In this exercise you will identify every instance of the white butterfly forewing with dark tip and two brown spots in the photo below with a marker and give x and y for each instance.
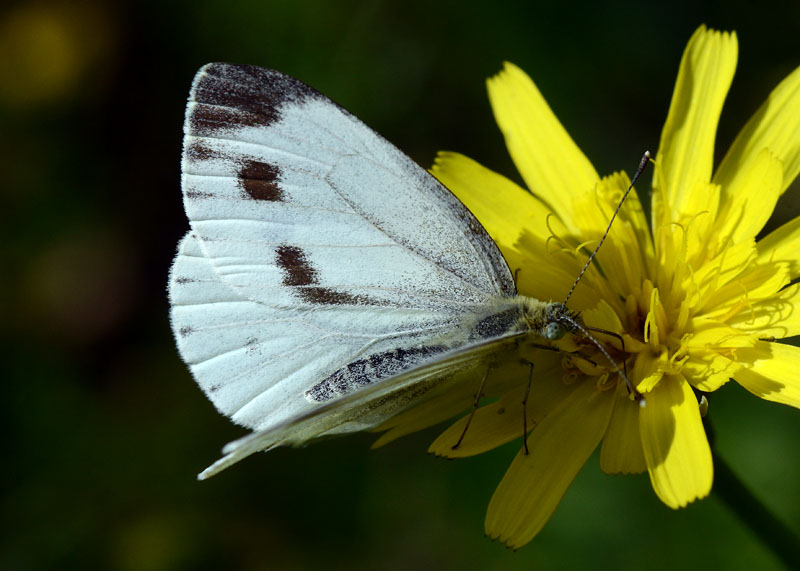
(297, 201)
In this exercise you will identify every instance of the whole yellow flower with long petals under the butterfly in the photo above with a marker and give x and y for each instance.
(697, 300)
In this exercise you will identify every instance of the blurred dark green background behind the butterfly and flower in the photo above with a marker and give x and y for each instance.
(102, 425)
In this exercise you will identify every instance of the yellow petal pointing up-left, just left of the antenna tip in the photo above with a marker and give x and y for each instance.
(550, 162)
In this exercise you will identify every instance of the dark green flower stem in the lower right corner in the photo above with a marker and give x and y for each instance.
(774, 533)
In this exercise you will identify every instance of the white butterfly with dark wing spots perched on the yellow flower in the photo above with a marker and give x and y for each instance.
(327, 282)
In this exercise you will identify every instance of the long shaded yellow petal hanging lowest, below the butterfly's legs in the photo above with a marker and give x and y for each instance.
(535, 483)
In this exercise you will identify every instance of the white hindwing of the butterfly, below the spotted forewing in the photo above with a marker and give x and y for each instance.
(261, 365)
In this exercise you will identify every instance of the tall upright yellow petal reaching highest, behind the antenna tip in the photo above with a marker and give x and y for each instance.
(686, 152)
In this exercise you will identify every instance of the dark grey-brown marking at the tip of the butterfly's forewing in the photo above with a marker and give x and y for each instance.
(230, 96)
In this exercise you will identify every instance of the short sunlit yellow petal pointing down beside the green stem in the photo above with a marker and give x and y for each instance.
(675, 445)
